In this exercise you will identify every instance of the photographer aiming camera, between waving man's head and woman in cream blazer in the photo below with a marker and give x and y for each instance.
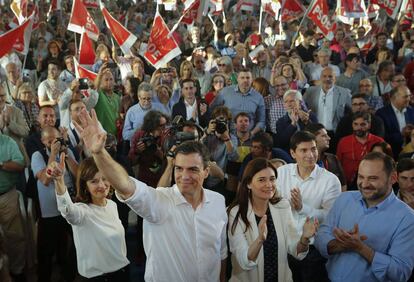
(221, 145)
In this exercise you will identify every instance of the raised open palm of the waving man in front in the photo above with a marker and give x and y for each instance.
(91, 132)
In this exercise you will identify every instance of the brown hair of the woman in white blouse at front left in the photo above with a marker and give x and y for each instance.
(86, 171)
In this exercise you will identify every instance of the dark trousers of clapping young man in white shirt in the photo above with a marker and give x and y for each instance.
(310, 269)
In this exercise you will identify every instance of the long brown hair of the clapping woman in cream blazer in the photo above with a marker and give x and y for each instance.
(244, 196)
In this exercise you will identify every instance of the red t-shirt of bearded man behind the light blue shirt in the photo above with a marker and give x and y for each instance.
(350, 153)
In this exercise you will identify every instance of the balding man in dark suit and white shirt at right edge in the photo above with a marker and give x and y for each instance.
(396, 116)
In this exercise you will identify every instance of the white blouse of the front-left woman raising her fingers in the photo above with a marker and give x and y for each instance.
(98, 235)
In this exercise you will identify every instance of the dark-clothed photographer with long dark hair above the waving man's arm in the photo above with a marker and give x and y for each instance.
(146, 147)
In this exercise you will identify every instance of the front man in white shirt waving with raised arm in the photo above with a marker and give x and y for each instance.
(184, 225)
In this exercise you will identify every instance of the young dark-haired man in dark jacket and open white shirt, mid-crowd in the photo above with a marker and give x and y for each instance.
(188, 106)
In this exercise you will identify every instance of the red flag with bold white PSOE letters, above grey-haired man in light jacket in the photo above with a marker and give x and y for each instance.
(318, 12)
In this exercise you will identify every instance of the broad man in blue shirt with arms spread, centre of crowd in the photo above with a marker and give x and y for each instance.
(243, 98)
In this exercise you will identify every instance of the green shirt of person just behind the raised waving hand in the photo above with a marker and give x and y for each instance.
(107, 111)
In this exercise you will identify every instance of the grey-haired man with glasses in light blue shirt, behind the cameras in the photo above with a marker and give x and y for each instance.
(135, 115)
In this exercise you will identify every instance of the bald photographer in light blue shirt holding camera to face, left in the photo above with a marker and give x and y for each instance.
(53, 231)
